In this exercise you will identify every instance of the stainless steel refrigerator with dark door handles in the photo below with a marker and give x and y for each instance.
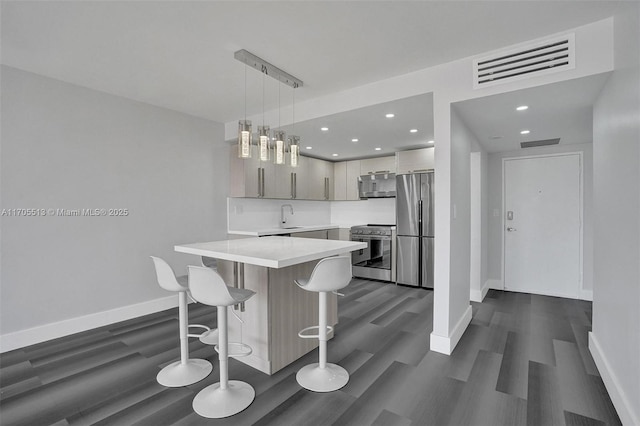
(415, 229)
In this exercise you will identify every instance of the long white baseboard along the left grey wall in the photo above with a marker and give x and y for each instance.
(31, 336)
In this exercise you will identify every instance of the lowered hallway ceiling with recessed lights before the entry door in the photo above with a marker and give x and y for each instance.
(560, 110)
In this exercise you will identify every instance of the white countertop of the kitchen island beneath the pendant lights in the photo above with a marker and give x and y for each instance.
(272, 252)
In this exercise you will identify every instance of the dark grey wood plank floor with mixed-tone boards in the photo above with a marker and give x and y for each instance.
(522, 361)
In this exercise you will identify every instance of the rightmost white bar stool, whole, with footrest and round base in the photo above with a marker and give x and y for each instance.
(329, 275)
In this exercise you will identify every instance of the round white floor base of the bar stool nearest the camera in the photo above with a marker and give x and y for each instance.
(215, 403)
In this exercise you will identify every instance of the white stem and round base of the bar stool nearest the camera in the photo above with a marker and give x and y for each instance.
(227, 397)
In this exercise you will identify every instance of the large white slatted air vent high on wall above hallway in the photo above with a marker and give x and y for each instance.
(532, 59)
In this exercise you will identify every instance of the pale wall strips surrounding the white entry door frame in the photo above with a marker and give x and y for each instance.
(495, 213)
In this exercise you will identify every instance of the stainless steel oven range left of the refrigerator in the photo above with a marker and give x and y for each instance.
(376, 261)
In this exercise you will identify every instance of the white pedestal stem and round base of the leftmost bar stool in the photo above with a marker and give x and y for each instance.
(186, 371)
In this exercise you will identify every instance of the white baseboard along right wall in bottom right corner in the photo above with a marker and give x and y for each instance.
(620, 401)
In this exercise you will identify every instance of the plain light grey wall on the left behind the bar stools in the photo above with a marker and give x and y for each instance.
(67, 147)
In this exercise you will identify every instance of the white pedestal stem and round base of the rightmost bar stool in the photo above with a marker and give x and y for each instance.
(322, 376)
